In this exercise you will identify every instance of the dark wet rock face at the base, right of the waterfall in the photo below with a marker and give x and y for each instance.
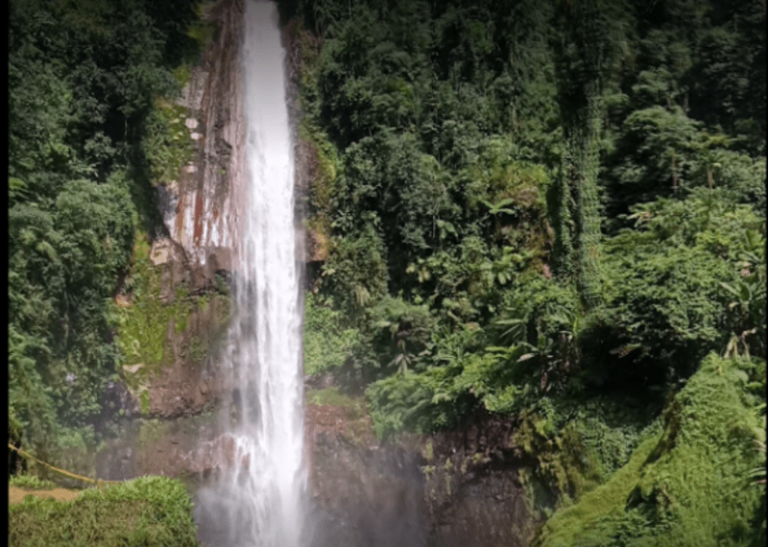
(451, 489)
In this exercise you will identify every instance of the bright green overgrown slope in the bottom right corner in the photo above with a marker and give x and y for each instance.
(685, 486)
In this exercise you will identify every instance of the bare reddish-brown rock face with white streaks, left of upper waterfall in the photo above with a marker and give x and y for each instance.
(200, 209)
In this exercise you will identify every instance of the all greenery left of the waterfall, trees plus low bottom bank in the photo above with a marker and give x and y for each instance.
(90, 83)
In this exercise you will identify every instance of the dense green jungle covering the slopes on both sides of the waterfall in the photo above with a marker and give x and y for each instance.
(548, 210)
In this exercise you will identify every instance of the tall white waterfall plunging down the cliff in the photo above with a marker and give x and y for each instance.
(258, 501)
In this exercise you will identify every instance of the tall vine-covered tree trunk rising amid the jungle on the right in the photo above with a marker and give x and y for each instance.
(591, 35)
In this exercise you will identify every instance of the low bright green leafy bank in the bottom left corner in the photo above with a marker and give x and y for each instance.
(144, 511)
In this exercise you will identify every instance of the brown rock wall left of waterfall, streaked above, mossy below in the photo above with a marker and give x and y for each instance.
(162, 410)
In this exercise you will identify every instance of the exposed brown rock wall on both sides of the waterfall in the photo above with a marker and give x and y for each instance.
(452, 489)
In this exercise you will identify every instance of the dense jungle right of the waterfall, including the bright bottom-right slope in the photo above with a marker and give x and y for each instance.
(553, 211)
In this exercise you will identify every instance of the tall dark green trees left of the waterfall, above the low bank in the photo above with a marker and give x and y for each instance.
(83, 79)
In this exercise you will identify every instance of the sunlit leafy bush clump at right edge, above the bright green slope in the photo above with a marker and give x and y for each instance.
(666, 293)
